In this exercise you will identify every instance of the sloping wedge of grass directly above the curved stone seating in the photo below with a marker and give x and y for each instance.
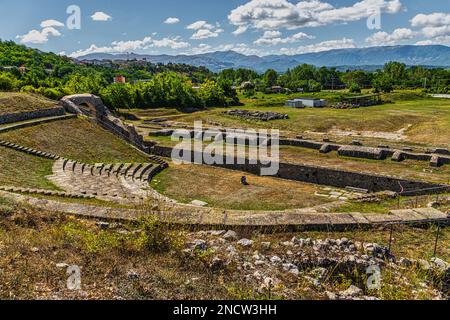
(77, 139)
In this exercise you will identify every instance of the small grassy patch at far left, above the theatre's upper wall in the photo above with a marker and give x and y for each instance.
(14, 102)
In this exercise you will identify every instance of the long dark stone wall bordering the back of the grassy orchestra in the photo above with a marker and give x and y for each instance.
(325, 176)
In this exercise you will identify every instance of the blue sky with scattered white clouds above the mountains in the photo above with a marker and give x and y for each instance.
(259, 27)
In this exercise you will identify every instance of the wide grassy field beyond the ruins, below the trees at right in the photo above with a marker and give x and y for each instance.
(425, 121)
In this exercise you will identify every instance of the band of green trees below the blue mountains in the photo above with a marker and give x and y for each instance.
(183, 86)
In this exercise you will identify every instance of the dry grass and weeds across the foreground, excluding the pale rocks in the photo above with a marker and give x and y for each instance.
(146, 261)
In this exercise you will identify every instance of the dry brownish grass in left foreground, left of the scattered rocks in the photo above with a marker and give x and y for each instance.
(33, 243)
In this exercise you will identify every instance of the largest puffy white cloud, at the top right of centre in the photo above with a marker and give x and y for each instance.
(277, 14)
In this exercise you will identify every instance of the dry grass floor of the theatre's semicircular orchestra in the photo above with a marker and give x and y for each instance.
(221, 188)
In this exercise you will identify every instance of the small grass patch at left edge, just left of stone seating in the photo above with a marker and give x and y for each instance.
(21, 170)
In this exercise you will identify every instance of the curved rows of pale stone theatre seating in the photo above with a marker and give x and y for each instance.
(123, 183)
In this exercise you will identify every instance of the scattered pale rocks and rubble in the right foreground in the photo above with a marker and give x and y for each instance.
(335, 269)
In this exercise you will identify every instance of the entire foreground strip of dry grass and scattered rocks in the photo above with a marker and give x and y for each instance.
(151, 260)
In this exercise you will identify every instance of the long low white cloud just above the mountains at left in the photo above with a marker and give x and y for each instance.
(134, 45)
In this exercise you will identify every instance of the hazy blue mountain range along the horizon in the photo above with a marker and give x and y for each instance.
(367, 58)
